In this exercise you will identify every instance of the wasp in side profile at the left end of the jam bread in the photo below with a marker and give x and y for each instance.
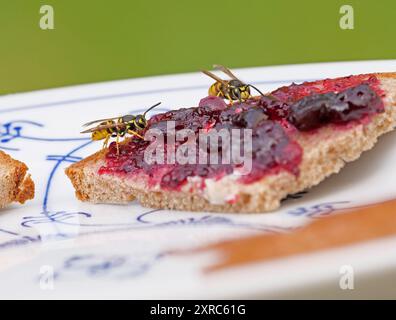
(118, 127)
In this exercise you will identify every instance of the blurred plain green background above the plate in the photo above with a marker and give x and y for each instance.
(105, 40)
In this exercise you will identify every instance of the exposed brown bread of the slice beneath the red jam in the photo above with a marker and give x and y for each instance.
(325, 152)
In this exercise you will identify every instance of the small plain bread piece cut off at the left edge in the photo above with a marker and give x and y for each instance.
(15, 184)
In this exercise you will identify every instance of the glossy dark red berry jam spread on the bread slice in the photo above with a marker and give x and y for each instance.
(271, 120)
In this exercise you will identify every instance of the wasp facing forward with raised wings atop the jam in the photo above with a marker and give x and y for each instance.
(233, 90)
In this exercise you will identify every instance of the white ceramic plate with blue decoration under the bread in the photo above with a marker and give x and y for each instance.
(59, 247)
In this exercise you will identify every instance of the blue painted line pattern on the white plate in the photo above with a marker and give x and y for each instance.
(13, 130)
